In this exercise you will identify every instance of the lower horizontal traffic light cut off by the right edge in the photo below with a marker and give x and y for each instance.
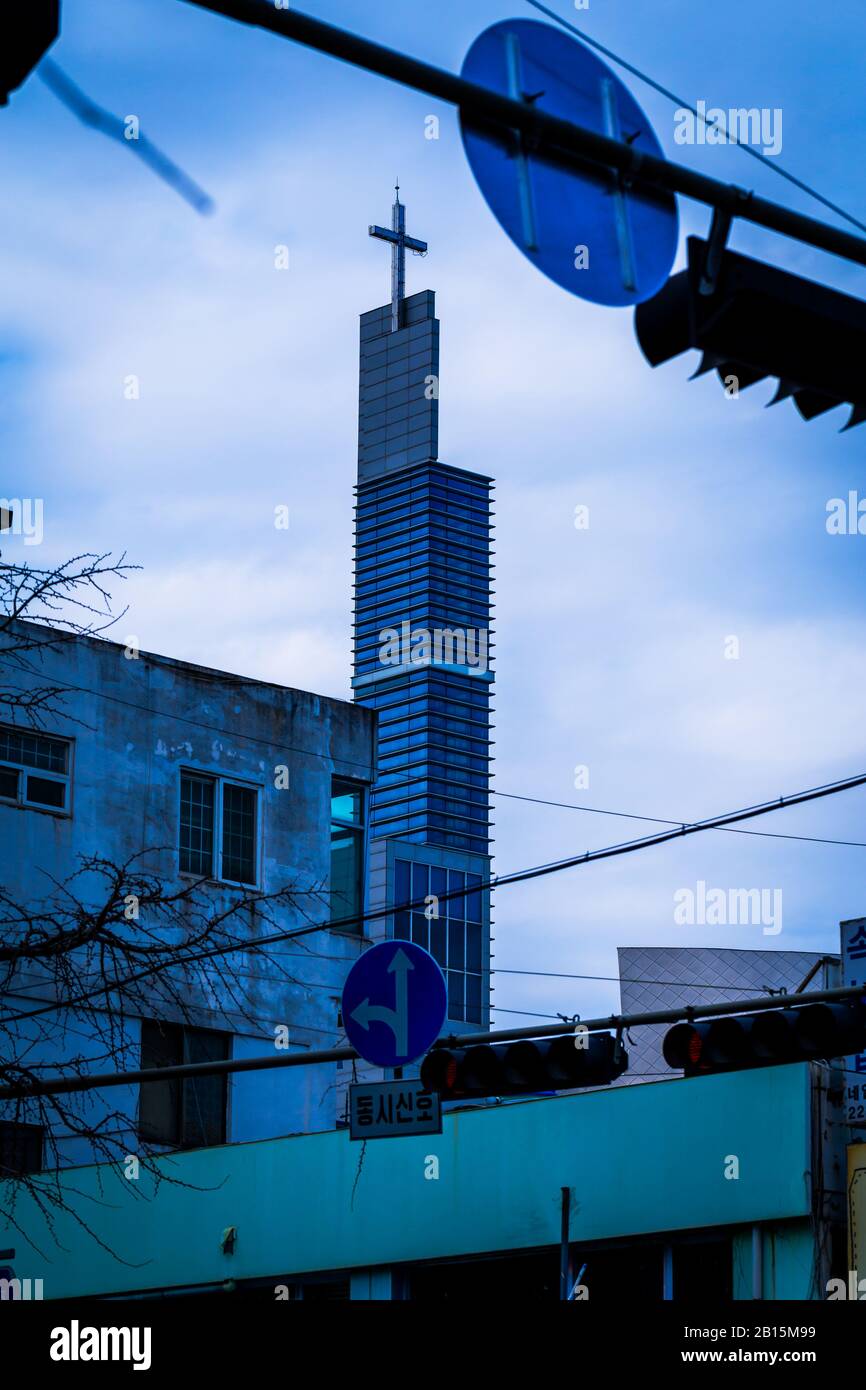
(810, 1032)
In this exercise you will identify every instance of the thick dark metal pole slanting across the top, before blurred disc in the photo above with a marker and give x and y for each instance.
(557, 138)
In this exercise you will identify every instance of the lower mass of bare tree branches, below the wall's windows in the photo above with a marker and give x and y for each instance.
(79, 970)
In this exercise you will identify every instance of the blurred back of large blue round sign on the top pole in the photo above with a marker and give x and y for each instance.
(586, 231)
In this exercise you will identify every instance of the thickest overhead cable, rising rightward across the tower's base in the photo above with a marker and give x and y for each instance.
(497, 882)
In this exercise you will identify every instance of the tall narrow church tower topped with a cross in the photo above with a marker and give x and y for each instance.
(423, 646)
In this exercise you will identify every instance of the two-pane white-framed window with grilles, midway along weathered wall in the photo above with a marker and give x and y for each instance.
(219, 829)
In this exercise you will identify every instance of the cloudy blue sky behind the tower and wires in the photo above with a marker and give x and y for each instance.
(708, 516)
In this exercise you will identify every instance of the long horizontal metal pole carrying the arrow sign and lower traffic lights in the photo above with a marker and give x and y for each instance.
(616, 1022)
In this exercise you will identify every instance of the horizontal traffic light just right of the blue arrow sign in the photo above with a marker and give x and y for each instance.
(559, 1064)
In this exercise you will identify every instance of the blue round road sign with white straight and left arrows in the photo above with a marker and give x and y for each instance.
(394, 1003)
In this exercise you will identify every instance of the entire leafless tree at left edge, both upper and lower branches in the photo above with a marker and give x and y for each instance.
(87, 957)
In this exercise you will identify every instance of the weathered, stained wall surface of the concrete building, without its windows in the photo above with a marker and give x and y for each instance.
(134, 725)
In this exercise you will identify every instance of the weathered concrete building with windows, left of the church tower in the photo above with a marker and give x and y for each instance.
(248, 786)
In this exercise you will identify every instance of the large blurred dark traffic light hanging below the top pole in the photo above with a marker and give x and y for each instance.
(754, 322)
